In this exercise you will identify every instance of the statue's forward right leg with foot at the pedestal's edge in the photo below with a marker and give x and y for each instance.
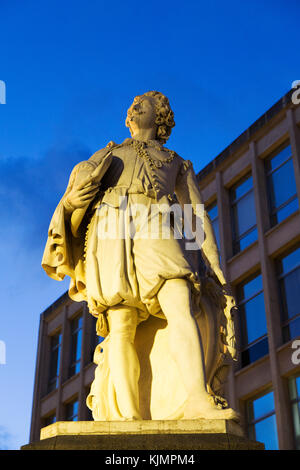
(186, 349)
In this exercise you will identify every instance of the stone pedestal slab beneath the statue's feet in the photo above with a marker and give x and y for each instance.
(144, 435)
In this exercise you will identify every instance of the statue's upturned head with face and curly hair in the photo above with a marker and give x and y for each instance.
(152, 109)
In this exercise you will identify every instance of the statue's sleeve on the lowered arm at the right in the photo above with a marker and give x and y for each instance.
(189, 196)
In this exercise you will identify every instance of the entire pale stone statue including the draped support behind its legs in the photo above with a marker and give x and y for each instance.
(130, 279)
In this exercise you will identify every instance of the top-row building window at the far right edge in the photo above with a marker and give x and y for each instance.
(281, 185)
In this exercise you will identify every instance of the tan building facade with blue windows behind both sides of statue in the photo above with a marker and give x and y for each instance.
(252, 194)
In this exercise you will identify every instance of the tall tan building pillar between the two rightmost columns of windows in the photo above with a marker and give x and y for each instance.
(271, 298)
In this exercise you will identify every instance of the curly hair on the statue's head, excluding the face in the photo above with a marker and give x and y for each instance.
(164, 115)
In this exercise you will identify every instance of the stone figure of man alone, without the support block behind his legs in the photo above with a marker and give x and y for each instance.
(127, 277)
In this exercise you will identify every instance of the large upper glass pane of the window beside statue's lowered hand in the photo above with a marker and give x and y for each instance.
(254, 317)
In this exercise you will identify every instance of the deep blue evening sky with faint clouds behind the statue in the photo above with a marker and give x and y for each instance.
(71, 70)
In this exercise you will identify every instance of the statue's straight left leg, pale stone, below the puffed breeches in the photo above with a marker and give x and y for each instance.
(123, 361)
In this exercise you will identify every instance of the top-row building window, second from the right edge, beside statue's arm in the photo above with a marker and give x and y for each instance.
(243, 215)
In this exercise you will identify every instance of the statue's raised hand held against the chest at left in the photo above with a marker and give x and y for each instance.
(81, 195)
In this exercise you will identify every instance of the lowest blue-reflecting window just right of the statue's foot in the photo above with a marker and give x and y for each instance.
(262, 421)
